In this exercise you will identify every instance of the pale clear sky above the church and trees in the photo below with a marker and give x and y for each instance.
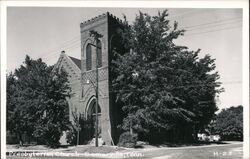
(43, 32)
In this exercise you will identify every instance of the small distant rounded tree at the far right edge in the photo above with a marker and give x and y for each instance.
(229, 123)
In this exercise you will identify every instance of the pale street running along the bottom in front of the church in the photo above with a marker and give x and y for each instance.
(225, 151)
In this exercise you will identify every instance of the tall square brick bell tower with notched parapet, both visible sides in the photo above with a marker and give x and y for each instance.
(97, 52)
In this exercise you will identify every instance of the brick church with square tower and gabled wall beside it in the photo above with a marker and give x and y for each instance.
(82, 75)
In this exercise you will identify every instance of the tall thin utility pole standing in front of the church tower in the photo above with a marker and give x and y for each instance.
(96, 35)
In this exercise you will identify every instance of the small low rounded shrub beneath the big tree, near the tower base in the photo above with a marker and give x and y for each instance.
(127, 140)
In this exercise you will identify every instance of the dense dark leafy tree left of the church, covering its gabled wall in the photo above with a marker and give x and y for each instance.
(36, 101)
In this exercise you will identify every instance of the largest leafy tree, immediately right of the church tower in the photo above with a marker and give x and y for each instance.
(163, 89)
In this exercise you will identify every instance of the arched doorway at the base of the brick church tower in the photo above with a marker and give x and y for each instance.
(91, 117)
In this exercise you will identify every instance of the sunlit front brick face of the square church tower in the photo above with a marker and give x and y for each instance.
(99, 24)
